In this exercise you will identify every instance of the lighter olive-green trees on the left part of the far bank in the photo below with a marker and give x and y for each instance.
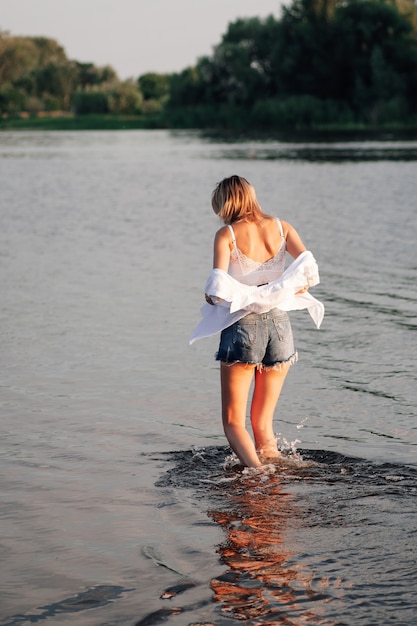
(36, 76)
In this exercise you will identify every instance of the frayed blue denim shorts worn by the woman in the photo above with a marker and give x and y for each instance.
(264, 339)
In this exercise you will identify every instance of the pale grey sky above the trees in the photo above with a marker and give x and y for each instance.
(133, 36)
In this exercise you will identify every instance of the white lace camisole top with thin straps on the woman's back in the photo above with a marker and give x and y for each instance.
(250, 272)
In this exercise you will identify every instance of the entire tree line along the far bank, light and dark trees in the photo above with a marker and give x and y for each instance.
(321, 63)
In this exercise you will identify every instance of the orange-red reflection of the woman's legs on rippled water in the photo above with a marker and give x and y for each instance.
(261, 581)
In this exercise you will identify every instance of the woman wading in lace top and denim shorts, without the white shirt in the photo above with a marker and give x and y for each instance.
(251, 248)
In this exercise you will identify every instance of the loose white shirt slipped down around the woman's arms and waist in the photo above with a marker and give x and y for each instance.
(233, 300)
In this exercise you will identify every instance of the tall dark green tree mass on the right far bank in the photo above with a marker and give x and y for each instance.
(342, 60)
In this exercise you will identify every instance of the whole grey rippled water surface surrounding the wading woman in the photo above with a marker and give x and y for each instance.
(116, 506)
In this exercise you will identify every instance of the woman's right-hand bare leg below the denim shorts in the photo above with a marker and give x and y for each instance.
(268, 385)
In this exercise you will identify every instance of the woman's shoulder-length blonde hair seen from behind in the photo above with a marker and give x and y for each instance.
(234, 198)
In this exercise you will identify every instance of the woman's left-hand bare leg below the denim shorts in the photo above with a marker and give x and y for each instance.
(235, 384)
